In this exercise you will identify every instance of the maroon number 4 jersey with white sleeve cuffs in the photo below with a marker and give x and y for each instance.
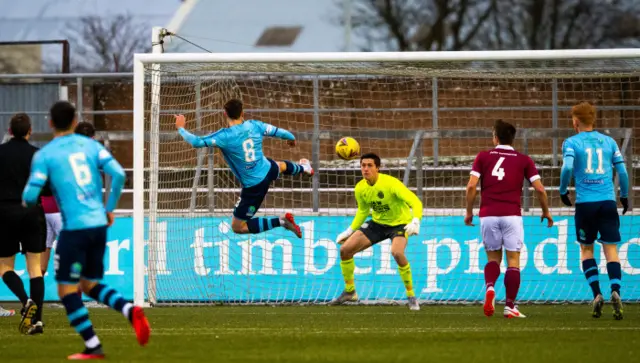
(502, 172)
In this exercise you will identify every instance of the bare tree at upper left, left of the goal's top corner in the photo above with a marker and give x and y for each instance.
(106, 44)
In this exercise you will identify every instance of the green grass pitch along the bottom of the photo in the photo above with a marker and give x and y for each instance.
(564, 333)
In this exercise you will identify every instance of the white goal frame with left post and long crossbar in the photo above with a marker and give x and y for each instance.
(140, 60)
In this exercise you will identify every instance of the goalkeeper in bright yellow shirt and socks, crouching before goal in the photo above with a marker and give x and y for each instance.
(396, 215)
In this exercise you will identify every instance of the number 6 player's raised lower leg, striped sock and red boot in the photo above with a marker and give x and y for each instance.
(109, 296)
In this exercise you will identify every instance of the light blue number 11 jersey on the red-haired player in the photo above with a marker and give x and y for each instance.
(591, 156)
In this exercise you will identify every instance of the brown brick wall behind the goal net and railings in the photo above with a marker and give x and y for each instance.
(498, 98)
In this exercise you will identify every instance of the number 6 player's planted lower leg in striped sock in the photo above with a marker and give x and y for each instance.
(78, 316)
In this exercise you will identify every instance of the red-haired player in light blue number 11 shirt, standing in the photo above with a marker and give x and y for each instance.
(591, 157)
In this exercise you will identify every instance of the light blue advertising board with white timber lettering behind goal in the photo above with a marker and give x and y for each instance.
(447, 261)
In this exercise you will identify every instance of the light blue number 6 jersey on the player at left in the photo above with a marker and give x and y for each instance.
(72, 165)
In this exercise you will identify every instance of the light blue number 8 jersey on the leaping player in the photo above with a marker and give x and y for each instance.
(241, 147)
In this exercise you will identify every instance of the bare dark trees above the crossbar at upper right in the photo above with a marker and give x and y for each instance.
(407, 25)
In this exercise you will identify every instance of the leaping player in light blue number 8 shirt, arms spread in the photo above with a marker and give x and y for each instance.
(241, 147)
